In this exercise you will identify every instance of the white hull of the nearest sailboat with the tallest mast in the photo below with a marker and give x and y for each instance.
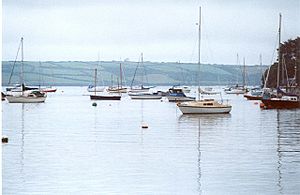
(203, 110)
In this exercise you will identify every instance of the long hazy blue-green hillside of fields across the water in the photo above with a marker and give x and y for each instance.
(81, 73)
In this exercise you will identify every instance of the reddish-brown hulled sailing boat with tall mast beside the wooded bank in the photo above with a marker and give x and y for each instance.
(283, 99)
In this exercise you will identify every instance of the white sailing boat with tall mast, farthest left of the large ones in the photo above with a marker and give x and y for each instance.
(26, 95)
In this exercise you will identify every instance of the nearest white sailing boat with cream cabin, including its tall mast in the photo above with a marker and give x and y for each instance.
(206, 106)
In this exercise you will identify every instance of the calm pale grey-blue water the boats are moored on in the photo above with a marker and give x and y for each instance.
(67, 146)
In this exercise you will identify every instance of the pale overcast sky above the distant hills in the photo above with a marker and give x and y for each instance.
(164, 30)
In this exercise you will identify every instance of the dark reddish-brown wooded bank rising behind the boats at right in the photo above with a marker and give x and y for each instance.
(290, 52)
